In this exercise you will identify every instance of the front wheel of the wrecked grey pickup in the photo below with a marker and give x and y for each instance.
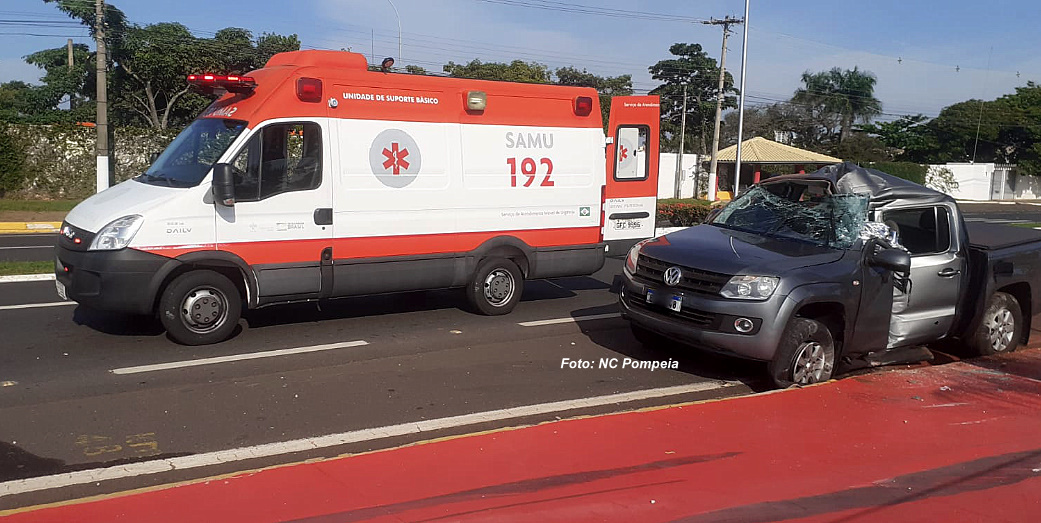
(806, 355)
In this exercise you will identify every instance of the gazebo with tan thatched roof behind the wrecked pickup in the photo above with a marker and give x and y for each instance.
(759, 153)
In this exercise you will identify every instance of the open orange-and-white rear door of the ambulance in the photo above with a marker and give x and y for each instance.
(631, 194)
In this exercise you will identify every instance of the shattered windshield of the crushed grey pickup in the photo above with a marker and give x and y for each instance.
(800, 212)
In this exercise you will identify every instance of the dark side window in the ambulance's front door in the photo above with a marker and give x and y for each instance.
(281, 159)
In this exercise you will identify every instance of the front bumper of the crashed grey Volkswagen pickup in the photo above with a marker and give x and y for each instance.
(706, 322)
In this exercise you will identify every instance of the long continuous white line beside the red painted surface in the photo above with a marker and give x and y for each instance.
(273, 450)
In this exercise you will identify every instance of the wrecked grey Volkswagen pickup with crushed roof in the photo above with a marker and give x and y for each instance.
(835, 270)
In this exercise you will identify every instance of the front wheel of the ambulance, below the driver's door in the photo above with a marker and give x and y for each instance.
(200, 308)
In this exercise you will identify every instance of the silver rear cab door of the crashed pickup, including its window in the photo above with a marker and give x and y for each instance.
(937, 273)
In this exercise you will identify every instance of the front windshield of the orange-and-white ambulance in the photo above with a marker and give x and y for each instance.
(192, 155)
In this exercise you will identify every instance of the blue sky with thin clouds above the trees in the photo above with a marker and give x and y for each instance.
(927, 55)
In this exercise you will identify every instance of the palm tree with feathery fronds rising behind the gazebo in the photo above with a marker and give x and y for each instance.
(848, 94)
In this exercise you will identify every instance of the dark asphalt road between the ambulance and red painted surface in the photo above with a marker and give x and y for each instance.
(64, 409)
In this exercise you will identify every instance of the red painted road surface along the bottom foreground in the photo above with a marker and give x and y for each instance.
(960, 442)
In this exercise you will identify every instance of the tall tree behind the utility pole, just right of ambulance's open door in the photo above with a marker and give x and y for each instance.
(693, 68)
